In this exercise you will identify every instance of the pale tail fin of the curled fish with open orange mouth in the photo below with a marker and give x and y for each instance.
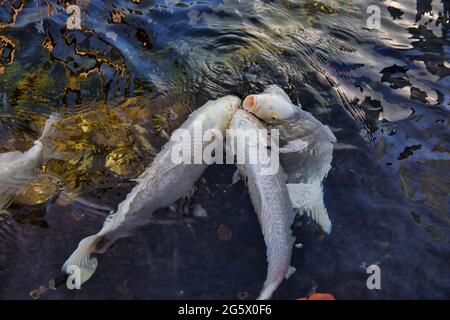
(308, 198)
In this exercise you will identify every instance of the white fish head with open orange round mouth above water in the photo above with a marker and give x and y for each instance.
(269, 106)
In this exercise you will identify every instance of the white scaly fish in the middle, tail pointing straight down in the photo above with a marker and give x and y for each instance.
(270, 199)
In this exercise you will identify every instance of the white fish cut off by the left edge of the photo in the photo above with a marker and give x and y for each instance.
(17, 168)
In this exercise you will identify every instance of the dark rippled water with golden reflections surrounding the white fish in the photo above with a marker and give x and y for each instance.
(134, 72)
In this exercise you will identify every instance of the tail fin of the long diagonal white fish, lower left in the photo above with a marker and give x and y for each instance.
(81, 258)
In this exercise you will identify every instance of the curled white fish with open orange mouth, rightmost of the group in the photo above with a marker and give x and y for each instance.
(306, 157)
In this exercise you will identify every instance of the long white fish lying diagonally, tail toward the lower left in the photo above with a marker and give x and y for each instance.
(162, 183)
